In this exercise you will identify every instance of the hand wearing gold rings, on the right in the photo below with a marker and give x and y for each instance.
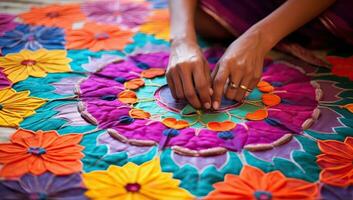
(240, 67)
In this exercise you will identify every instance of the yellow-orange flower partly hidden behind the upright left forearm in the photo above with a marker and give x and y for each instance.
(158, 25)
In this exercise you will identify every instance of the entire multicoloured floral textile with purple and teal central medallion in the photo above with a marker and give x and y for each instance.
(85, 113)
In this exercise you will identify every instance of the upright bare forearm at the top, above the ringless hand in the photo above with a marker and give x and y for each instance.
(182, 14)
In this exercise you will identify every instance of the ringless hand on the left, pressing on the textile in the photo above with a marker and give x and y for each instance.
(188, 74)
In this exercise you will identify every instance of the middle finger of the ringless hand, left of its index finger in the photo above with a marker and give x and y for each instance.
(188, 87)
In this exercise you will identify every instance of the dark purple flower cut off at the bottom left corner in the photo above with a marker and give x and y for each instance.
(45, 186)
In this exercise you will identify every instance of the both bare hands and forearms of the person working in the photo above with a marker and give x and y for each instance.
(188, 73)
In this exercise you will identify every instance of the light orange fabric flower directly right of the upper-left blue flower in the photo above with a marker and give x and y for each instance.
(98, 37)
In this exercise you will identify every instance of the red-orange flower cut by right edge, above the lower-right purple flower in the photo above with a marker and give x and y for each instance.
(336, 162)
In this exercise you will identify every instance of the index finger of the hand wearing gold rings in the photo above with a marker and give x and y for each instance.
(218, 86)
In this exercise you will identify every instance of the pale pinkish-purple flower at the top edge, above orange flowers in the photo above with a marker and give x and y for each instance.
(125, 13)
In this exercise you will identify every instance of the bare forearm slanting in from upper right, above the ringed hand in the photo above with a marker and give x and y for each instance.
(287, 18)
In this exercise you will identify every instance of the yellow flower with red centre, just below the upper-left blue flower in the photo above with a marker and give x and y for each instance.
(19, 66)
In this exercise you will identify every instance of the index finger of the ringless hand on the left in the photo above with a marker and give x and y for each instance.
(202, 86)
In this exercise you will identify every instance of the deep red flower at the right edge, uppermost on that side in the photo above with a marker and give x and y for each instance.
(341, 66)
